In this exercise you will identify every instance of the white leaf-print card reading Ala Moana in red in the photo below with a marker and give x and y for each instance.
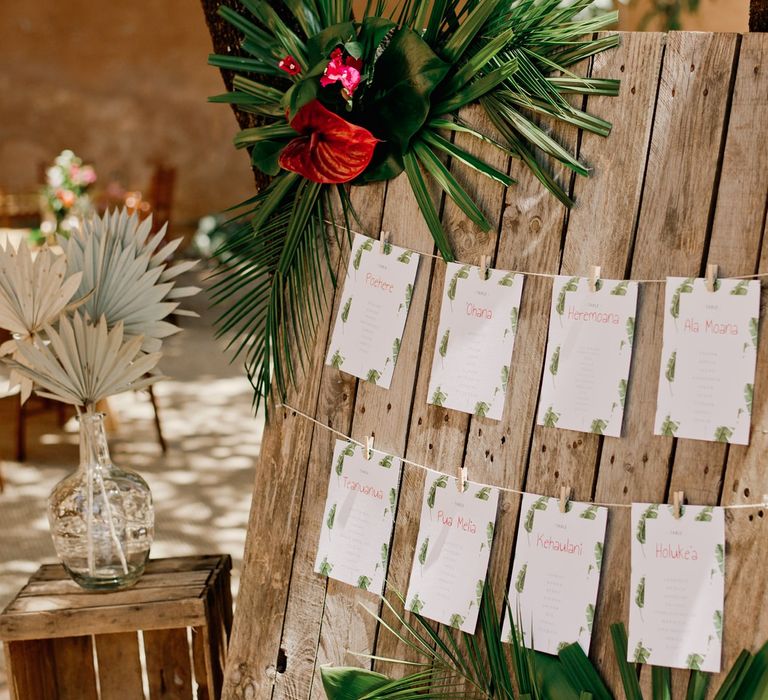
(707, 372)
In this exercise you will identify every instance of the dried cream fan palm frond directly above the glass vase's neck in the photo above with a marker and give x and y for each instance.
(82, 363)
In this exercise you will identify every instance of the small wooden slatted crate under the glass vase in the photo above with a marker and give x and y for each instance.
(167, 633)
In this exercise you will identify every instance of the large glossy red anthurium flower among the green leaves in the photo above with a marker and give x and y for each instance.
(329, 149)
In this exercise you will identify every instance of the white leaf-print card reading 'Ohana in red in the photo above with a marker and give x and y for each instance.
(475, 339)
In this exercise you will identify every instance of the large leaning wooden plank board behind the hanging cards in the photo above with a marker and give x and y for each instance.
(681, 182)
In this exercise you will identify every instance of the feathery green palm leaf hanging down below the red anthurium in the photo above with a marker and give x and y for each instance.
(272, 276)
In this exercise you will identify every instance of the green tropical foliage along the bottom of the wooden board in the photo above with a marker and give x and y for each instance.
(482, 667)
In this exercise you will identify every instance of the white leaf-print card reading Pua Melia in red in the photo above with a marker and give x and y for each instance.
(452, 550)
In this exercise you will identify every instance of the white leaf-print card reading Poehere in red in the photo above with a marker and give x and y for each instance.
(377, 293)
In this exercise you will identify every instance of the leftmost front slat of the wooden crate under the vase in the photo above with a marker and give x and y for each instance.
(30, 669)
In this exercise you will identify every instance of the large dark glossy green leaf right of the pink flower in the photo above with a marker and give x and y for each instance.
(397, 100)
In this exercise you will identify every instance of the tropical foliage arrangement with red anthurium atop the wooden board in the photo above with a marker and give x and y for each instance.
(349, 101)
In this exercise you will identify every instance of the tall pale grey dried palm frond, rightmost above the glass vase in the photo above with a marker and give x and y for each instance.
(130, 274)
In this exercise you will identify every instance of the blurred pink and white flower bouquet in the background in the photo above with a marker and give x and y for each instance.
(66, 190)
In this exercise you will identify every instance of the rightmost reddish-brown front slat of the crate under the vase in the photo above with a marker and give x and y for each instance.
(168, 665)
